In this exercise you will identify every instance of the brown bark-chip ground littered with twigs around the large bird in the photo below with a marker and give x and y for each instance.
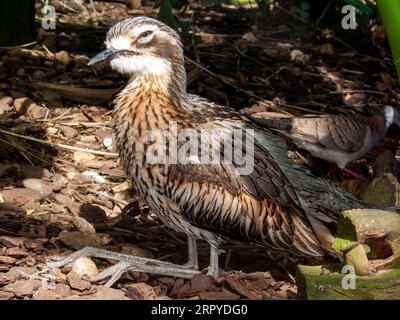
(55, 198)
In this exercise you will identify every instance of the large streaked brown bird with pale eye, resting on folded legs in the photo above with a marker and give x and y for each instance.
(275, 204)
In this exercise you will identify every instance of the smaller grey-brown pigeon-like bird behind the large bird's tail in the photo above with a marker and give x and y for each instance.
(337, 138)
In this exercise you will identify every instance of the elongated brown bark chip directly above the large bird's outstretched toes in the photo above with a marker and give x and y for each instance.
(77, 240)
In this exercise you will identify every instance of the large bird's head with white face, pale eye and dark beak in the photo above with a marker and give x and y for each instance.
(141, 47)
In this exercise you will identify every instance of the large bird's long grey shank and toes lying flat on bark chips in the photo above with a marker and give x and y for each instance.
(126, 263)
